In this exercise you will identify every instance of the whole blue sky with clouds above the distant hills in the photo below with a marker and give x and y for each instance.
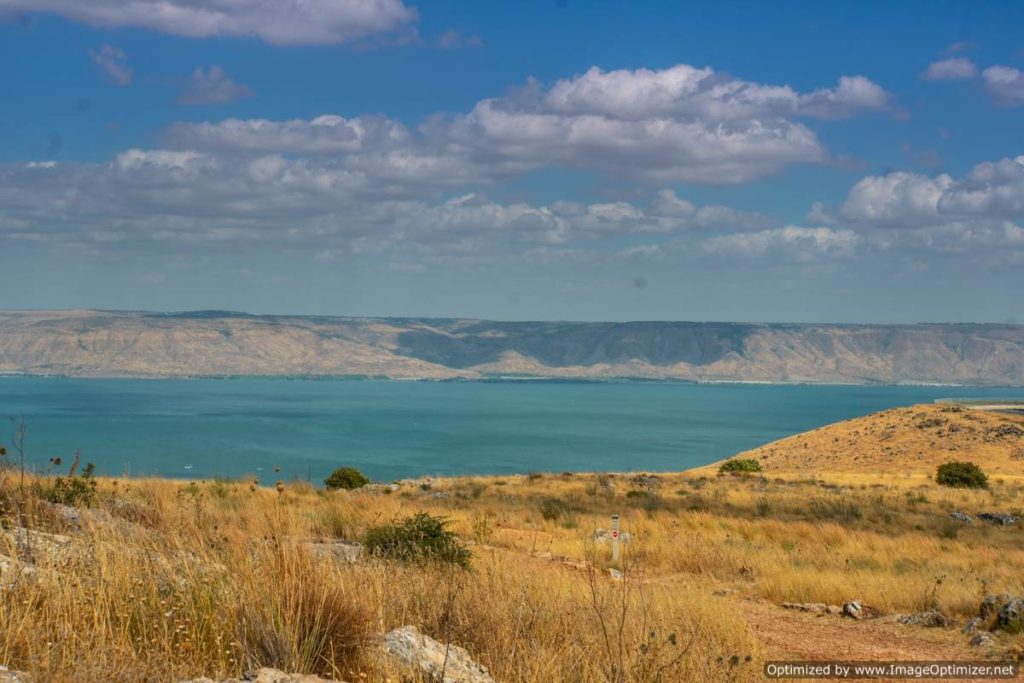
(822, 162)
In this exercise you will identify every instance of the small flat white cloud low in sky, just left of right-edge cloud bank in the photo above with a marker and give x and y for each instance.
(802, 245)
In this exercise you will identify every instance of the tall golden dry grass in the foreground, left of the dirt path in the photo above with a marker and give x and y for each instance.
(167, 581)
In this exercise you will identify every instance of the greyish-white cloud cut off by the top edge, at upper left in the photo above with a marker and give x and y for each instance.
(280, 22)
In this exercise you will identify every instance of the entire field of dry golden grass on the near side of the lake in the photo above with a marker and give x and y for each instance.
(170, 580)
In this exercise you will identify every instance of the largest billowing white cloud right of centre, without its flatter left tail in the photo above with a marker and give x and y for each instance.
(679, 124)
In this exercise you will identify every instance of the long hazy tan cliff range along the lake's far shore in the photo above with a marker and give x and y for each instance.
(215, 344)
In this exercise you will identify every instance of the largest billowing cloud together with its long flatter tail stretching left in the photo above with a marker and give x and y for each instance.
(680, 124)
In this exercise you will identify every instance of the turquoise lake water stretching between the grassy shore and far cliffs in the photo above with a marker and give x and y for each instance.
(205, 429)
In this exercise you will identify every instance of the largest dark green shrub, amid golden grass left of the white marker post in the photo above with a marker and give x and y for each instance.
(421, 538)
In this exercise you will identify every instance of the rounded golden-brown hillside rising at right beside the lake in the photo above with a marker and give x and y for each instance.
(918, 439)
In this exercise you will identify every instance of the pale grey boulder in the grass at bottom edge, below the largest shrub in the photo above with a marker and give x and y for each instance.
(445, 664)
